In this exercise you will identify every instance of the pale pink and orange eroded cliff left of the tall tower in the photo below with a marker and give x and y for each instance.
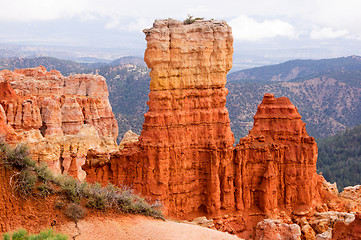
(60, 117)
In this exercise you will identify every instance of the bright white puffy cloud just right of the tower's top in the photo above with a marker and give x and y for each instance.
(248, 29)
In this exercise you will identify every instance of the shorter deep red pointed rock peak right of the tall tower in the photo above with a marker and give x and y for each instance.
(276, 161)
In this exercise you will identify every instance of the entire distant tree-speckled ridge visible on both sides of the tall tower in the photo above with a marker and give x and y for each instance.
(326, 92)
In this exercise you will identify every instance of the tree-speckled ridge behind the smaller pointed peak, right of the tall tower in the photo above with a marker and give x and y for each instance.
(326, 92)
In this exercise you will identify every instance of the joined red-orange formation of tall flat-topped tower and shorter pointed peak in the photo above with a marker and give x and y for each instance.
(185, 155)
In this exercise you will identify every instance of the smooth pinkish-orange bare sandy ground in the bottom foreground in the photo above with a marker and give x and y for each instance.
(139, 227)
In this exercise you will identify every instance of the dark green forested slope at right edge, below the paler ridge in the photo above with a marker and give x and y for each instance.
(339, 158)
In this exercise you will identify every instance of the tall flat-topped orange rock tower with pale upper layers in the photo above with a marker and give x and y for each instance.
(185, 150)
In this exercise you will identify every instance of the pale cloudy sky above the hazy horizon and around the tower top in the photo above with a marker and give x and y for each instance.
(263, 30)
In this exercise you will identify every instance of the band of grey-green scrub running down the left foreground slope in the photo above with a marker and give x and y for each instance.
(32, 178)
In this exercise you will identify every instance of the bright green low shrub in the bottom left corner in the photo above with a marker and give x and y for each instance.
(22, 234)
